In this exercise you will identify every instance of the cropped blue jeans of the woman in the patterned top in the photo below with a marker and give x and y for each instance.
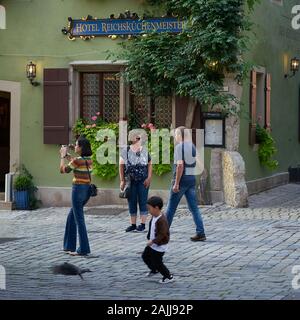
(138, 195)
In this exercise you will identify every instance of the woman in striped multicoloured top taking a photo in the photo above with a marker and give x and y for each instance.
(80, 196)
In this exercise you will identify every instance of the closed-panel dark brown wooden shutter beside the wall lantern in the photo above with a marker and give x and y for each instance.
(56, 106)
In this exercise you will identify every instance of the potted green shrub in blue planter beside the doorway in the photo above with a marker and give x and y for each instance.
(24, 190)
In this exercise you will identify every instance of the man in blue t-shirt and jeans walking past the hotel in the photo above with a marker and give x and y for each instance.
(184, 181)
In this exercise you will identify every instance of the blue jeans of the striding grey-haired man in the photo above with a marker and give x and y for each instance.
(189, 190)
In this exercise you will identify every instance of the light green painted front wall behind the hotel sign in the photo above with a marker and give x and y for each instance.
(34, 33)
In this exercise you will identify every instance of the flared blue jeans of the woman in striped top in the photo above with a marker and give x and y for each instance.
(75, 221)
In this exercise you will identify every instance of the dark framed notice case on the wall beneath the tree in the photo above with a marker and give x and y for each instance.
(214, 130)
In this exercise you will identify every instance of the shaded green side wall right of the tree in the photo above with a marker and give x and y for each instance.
(273, 45)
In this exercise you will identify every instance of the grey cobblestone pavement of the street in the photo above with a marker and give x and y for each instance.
(249, 253)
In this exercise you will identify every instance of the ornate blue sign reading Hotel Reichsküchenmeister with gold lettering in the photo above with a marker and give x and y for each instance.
(126, 25)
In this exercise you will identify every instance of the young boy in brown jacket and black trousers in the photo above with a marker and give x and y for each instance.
(158, 236)
